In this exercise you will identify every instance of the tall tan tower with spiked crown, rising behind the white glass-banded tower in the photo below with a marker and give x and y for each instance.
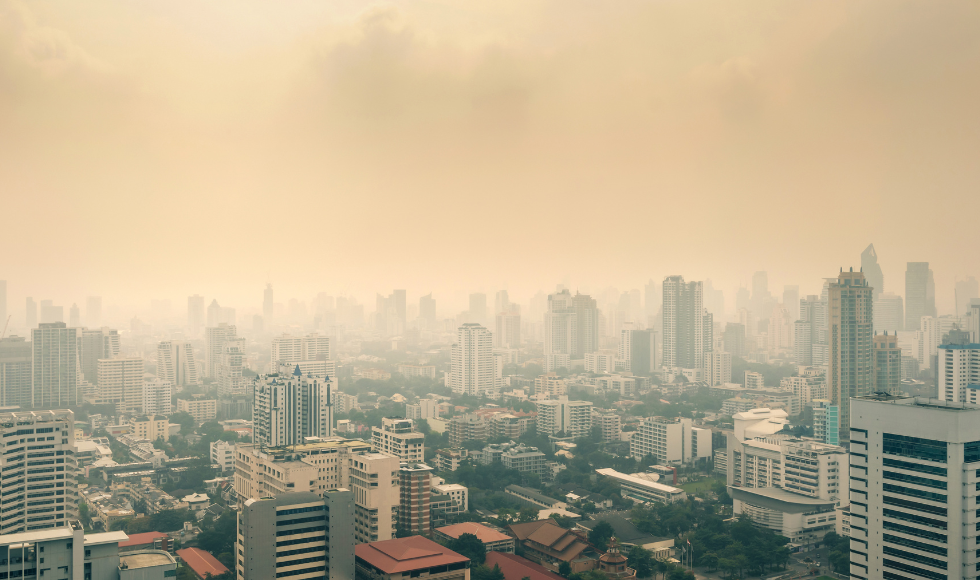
(850, 314)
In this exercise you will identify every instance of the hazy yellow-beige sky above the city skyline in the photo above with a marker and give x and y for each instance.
(160, 149)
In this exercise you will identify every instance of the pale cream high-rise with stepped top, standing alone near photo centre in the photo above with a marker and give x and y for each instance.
(472, 370)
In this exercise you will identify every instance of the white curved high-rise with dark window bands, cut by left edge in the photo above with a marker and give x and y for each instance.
(37, 495)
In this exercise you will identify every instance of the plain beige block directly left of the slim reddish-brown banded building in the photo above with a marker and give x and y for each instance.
(374, 480)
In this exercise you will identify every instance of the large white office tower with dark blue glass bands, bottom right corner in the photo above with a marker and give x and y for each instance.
(913, 496)
